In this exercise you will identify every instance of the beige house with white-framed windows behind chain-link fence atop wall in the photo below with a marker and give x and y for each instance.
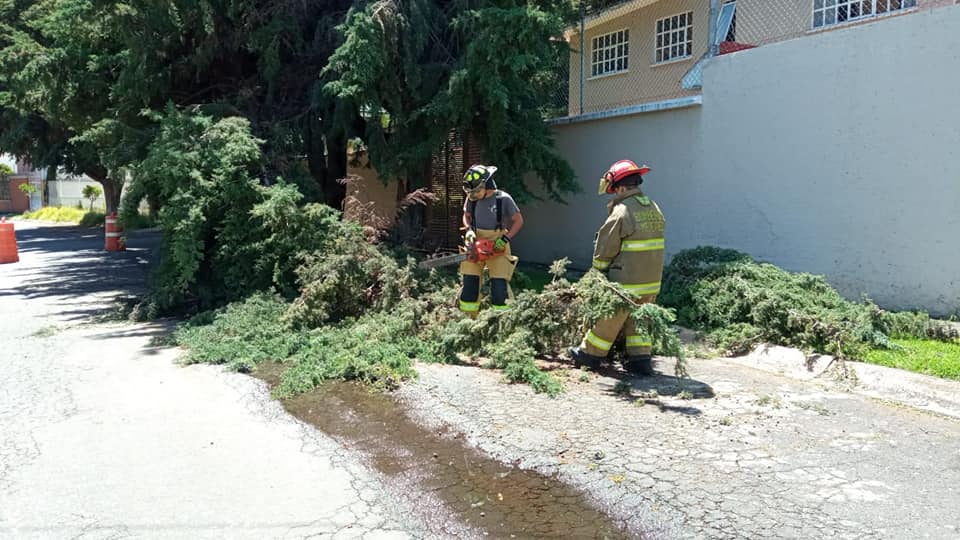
(648, 53)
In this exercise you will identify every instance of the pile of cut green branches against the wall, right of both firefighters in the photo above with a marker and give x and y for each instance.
(740, 303)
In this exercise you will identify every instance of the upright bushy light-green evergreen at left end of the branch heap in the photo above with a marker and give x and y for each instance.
(200, 170)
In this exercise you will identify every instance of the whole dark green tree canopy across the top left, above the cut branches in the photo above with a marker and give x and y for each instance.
(78, 79)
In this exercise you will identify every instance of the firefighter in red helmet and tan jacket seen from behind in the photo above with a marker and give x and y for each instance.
(629, 248)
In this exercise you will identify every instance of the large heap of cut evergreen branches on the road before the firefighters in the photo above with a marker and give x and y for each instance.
(365, 312)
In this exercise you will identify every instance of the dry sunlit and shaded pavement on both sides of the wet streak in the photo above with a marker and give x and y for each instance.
(103, 436)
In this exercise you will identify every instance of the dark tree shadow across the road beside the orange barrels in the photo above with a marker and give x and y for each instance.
(68, 264)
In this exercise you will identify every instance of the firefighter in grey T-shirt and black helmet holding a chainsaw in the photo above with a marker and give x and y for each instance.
(488, 213)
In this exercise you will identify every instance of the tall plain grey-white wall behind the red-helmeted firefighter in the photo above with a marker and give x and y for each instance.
(836, 153)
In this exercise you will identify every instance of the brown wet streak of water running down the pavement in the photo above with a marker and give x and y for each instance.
(502, 500)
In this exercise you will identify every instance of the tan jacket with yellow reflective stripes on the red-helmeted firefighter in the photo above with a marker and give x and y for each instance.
(630, 244)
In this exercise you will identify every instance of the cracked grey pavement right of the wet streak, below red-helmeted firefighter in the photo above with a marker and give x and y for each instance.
(742, 454)
